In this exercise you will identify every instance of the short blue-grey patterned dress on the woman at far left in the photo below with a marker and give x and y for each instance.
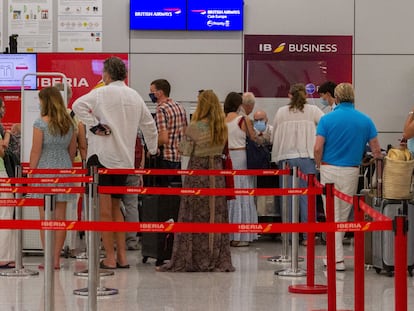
(55, 154)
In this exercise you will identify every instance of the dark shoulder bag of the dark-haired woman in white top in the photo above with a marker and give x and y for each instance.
(258, 156)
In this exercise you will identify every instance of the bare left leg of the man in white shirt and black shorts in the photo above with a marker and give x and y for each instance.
(105, 212)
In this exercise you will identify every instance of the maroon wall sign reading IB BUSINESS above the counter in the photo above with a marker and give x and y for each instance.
(272, 63)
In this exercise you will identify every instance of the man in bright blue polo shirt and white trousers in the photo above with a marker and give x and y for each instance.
(341, 137)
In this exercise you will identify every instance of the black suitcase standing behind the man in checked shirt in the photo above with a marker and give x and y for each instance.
(158, 208)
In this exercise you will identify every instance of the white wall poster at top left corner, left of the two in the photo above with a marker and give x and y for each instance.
(32, 22)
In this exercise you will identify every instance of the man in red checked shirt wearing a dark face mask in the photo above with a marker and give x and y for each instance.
(171, 120)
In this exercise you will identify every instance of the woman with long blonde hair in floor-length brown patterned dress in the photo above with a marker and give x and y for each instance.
(204, 142)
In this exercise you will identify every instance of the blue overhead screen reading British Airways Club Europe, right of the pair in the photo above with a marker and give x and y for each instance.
(216, 15)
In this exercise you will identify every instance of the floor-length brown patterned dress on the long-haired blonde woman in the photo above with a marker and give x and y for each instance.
(202, 252)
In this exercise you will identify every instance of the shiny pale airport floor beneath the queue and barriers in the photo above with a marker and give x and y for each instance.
(253, 286)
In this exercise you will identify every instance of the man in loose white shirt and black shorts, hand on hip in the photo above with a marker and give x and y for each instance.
(112, 114)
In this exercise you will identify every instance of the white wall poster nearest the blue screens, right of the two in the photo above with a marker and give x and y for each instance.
(80, 26)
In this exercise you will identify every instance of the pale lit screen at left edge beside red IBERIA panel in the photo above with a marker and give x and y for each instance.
(12, 69)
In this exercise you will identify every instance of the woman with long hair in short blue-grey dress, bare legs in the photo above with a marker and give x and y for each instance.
(54, 146)
